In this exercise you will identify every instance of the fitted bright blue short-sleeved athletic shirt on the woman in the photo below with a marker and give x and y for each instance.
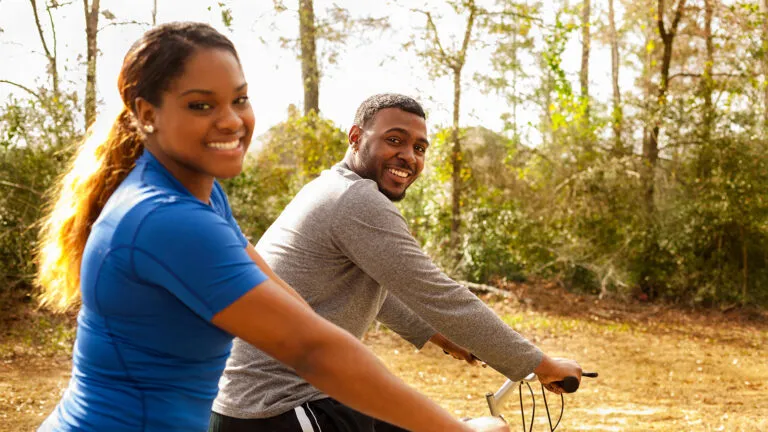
(157, 266)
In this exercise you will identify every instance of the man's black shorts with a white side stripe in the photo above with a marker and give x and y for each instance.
(324, 415)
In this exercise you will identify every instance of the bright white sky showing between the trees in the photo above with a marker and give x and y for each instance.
(364, 67)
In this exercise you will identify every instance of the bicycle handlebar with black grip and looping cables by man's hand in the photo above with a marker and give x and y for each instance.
(497, 399)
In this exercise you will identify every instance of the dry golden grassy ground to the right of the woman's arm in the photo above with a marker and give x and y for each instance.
(660, 368)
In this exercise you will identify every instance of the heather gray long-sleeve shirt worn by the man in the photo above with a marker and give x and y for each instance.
(347, 250)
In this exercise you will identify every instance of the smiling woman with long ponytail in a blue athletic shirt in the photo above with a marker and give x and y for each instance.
(142, 233)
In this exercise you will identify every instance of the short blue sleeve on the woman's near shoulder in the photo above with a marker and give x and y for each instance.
(196, 254)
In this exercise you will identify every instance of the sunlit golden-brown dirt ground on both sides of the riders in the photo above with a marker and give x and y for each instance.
(661, 368)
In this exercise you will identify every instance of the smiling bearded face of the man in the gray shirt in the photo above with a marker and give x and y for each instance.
(390, 150)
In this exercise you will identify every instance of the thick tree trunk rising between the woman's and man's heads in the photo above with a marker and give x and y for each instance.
(310, 73)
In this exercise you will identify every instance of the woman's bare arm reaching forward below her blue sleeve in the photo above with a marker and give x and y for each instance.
(329, 358)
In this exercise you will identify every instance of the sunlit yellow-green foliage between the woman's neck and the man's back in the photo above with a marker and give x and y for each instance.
(293, 153)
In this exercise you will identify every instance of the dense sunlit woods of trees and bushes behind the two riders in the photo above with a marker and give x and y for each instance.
(657, 191)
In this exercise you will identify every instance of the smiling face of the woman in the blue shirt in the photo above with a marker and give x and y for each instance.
(204, 123)
